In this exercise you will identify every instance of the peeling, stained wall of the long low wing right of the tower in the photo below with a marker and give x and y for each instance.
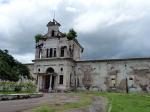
(115, 75)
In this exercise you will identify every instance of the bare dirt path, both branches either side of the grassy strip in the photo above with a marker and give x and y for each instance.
(26, 105)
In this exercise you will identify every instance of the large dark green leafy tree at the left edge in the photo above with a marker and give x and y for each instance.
(11, 69)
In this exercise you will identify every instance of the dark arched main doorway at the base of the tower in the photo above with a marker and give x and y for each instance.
(50, 79)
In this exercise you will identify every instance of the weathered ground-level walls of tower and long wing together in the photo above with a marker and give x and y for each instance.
(102, 75)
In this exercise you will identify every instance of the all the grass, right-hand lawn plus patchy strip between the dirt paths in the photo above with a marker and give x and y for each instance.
(118, 102)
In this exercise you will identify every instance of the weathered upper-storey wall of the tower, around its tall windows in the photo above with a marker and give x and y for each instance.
(72, 49)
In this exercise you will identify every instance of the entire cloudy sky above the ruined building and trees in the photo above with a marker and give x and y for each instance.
(106, 28)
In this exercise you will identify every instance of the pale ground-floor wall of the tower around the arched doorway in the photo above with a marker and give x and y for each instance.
(67, 65)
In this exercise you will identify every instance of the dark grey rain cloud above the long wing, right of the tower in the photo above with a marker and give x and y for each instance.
(130, 39)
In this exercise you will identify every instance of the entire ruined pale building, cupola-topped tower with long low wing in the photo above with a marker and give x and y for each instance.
(57, 67)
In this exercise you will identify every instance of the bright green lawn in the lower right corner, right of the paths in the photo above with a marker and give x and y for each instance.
(128, 102)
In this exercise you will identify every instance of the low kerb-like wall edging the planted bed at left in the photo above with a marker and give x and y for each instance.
(19, 96)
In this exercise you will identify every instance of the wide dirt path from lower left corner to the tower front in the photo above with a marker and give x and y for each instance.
(27, 104)
